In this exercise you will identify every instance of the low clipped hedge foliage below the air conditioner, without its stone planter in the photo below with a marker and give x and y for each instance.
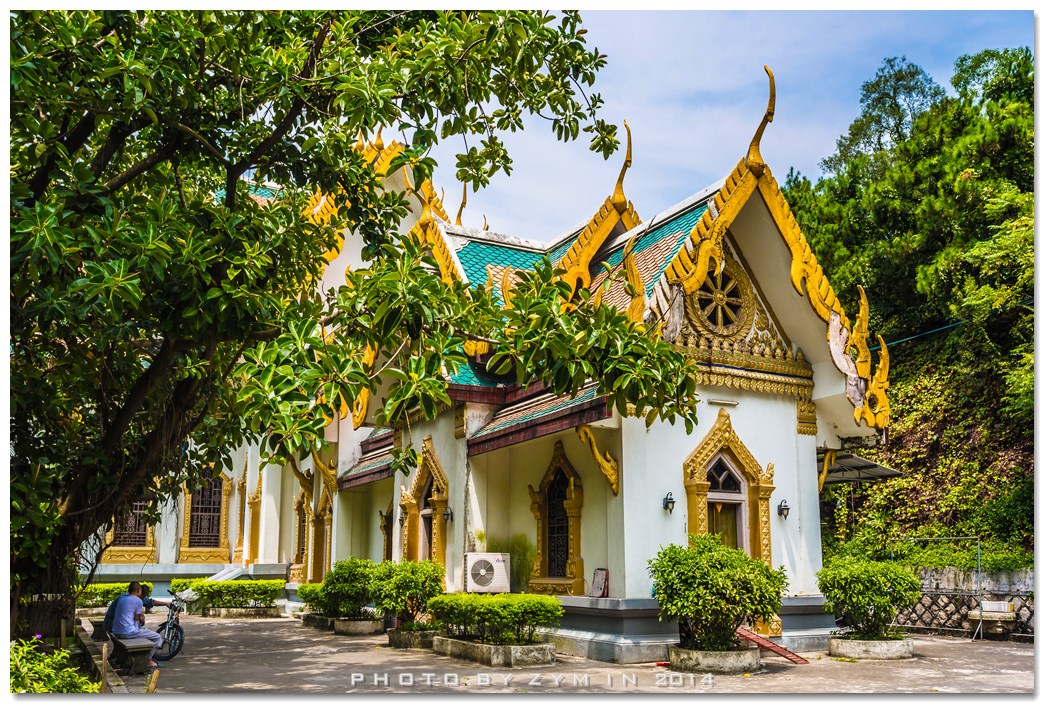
(496, 619)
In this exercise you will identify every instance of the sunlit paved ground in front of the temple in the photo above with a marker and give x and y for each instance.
(281, 656)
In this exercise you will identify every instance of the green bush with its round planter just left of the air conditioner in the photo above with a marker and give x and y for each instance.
(404, 589)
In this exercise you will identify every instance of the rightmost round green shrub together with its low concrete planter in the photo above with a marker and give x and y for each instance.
(867, 596)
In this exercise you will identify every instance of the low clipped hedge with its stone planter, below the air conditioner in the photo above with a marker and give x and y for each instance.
(496, 630)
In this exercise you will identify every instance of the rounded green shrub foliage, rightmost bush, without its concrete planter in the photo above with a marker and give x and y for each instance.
(868, 595)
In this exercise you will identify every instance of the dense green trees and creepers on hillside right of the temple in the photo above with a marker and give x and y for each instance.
(928, 203)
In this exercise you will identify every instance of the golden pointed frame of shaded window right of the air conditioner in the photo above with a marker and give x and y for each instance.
(573, 584)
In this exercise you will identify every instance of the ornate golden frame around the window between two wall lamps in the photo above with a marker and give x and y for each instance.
(723, 439)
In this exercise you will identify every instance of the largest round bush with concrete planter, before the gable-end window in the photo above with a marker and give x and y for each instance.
(710, 589)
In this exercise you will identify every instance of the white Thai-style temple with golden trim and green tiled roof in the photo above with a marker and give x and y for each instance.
(787, 384)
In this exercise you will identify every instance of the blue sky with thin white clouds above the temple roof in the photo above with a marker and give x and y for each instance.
(693, 88)
